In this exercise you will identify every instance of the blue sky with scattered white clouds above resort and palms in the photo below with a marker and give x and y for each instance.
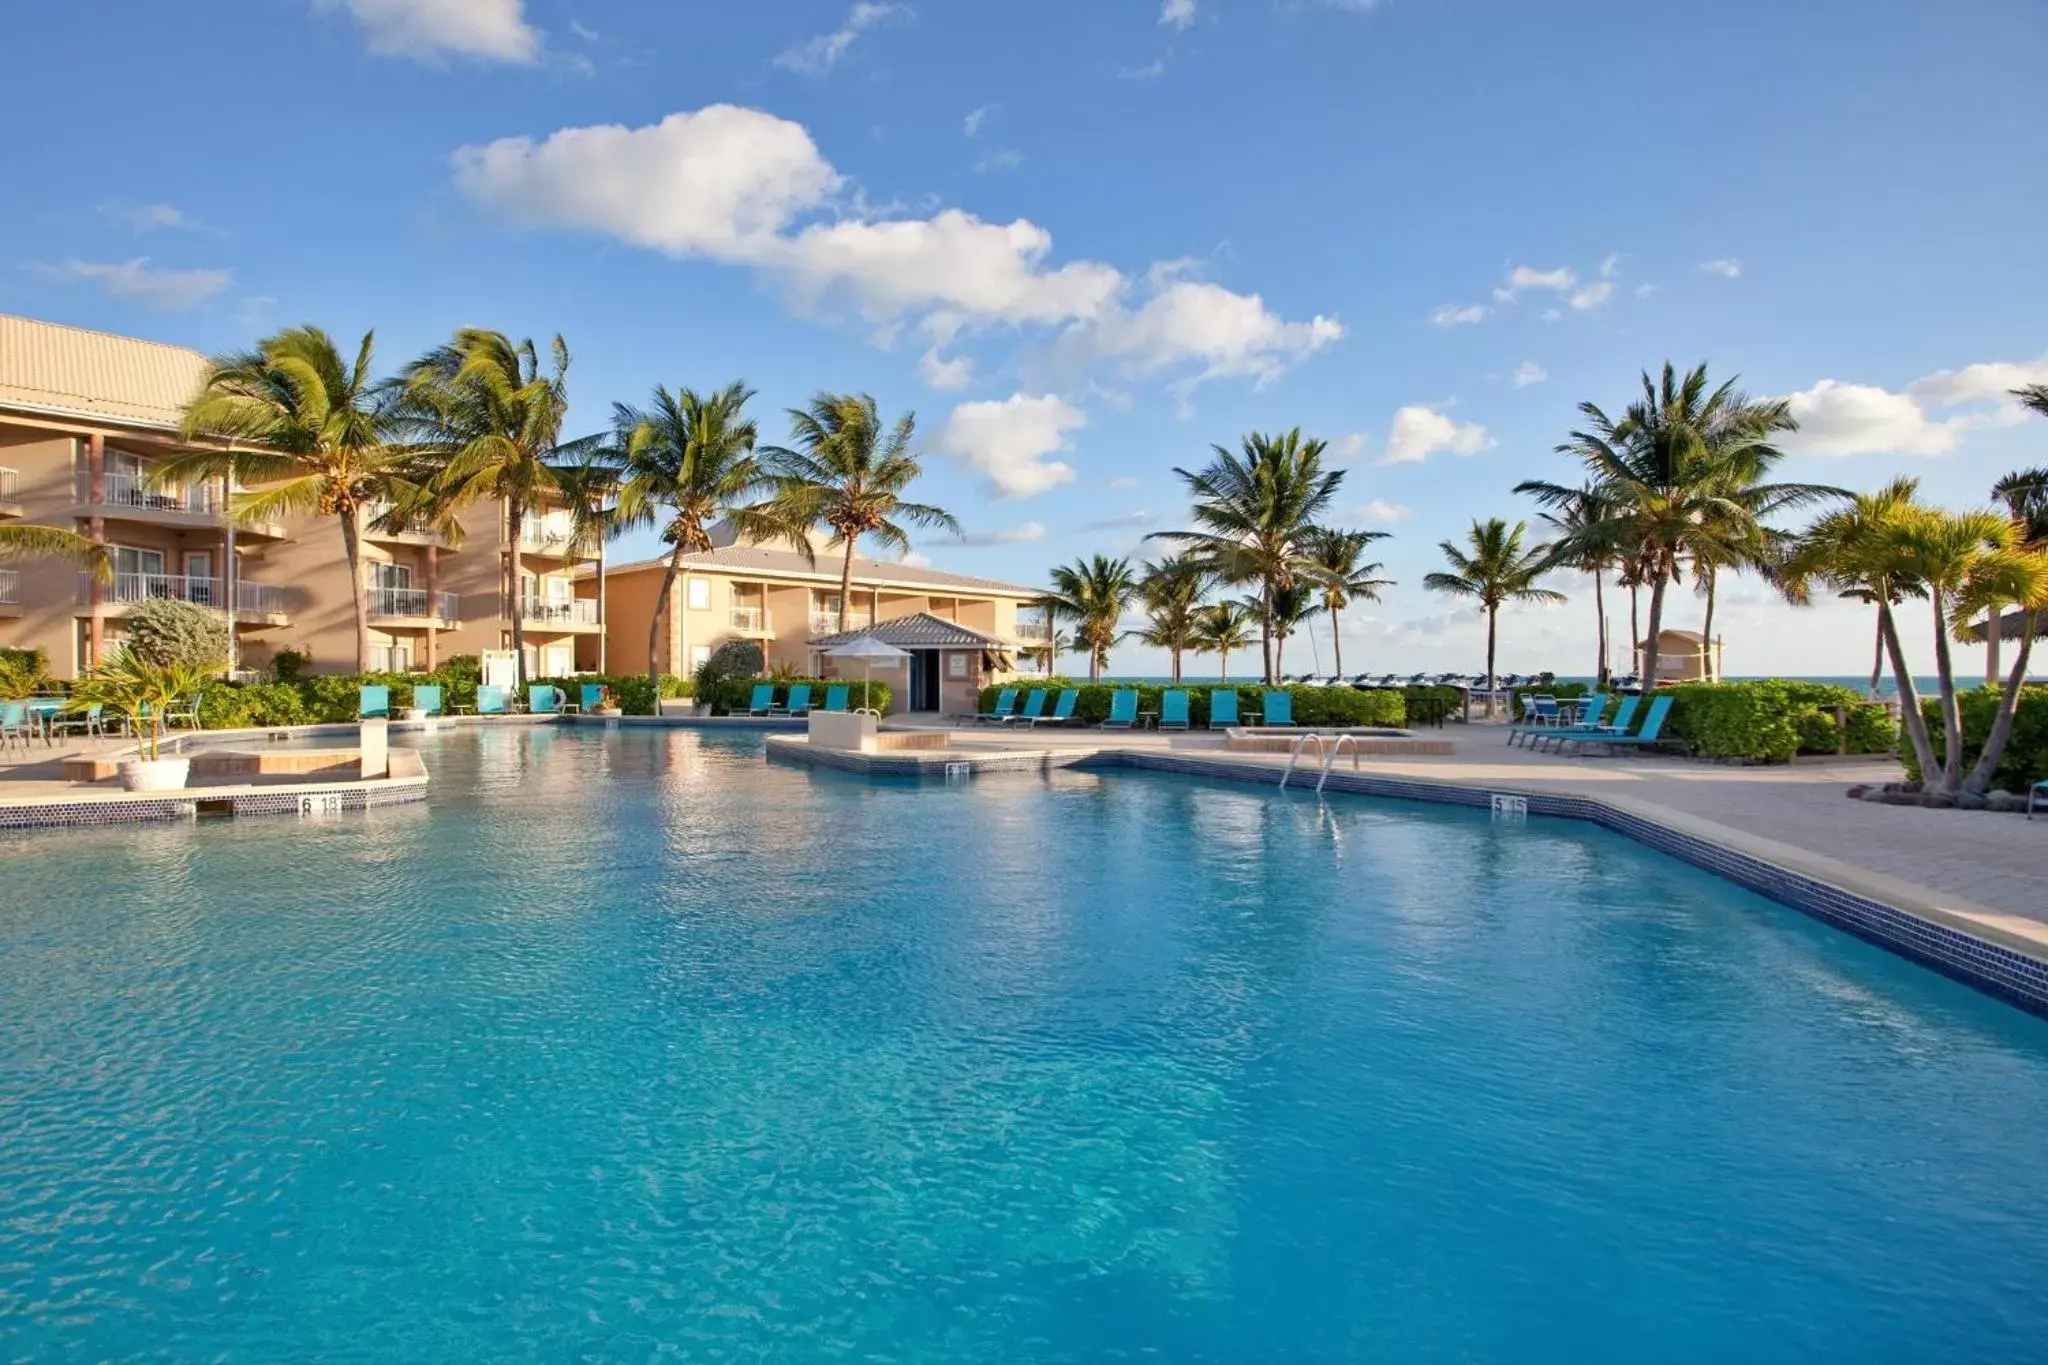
(1086, 240)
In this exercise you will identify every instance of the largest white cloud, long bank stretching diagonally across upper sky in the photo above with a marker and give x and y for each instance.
(746, 187)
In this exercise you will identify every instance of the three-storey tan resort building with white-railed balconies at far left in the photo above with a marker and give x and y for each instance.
(87, 414)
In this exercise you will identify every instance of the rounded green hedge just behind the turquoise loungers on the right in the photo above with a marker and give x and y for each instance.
(1775, 719)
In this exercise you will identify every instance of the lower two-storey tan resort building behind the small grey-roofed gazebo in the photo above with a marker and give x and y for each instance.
(959, 631)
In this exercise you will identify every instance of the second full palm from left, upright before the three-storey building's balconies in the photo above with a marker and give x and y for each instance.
(486, 421)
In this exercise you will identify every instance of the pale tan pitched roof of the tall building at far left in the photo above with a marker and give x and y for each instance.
(69, 371)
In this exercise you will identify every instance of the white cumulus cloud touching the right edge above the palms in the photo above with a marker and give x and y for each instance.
(1848, 419)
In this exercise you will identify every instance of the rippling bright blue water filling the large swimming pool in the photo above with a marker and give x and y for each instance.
(634, 1047)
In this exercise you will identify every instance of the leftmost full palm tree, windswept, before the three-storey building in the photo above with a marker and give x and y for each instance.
(304, 425)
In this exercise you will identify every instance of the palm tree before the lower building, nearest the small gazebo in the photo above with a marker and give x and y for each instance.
(851, 476)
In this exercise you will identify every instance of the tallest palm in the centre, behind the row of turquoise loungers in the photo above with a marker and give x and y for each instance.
(1254, 515)
